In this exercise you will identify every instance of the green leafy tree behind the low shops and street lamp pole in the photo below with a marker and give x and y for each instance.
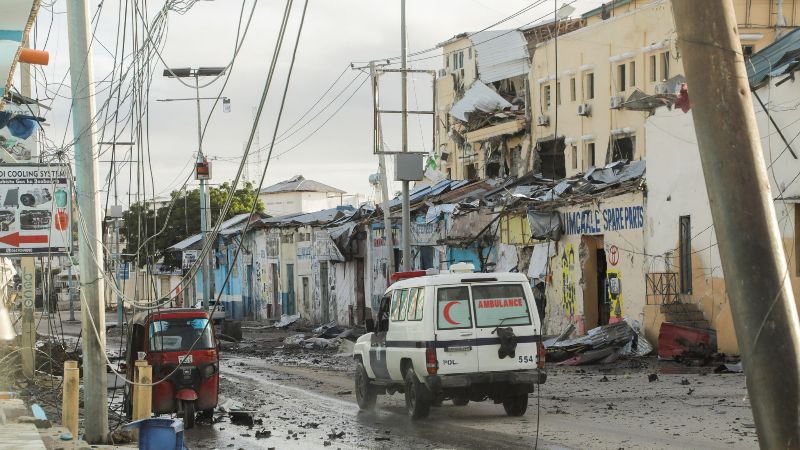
(142, 221)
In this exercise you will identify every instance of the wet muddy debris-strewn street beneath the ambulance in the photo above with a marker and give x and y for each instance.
(304, 399)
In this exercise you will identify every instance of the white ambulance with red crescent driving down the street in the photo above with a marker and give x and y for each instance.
(458, 336)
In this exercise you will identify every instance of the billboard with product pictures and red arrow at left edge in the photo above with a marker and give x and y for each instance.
(35, 209)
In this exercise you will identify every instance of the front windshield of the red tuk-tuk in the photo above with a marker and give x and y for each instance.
(173, 335)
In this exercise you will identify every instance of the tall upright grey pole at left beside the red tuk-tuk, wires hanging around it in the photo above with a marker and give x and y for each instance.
(93, 316)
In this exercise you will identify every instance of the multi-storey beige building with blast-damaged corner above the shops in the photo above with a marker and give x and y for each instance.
(519, 100)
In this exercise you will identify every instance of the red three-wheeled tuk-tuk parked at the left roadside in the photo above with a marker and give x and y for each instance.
(181, 346)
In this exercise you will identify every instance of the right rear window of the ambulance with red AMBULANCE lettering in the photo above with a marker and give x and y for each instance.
(500, 305)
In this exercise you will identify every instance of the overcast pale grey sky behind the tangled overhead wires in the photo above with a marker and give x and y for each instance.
(336, 32)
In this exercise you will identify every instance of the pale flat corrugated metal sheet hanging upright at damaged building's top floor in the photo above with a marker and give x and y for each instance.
(501, 54)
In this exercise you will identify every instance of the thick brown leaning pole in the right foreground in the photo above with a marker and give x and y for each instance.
(756, 274)
